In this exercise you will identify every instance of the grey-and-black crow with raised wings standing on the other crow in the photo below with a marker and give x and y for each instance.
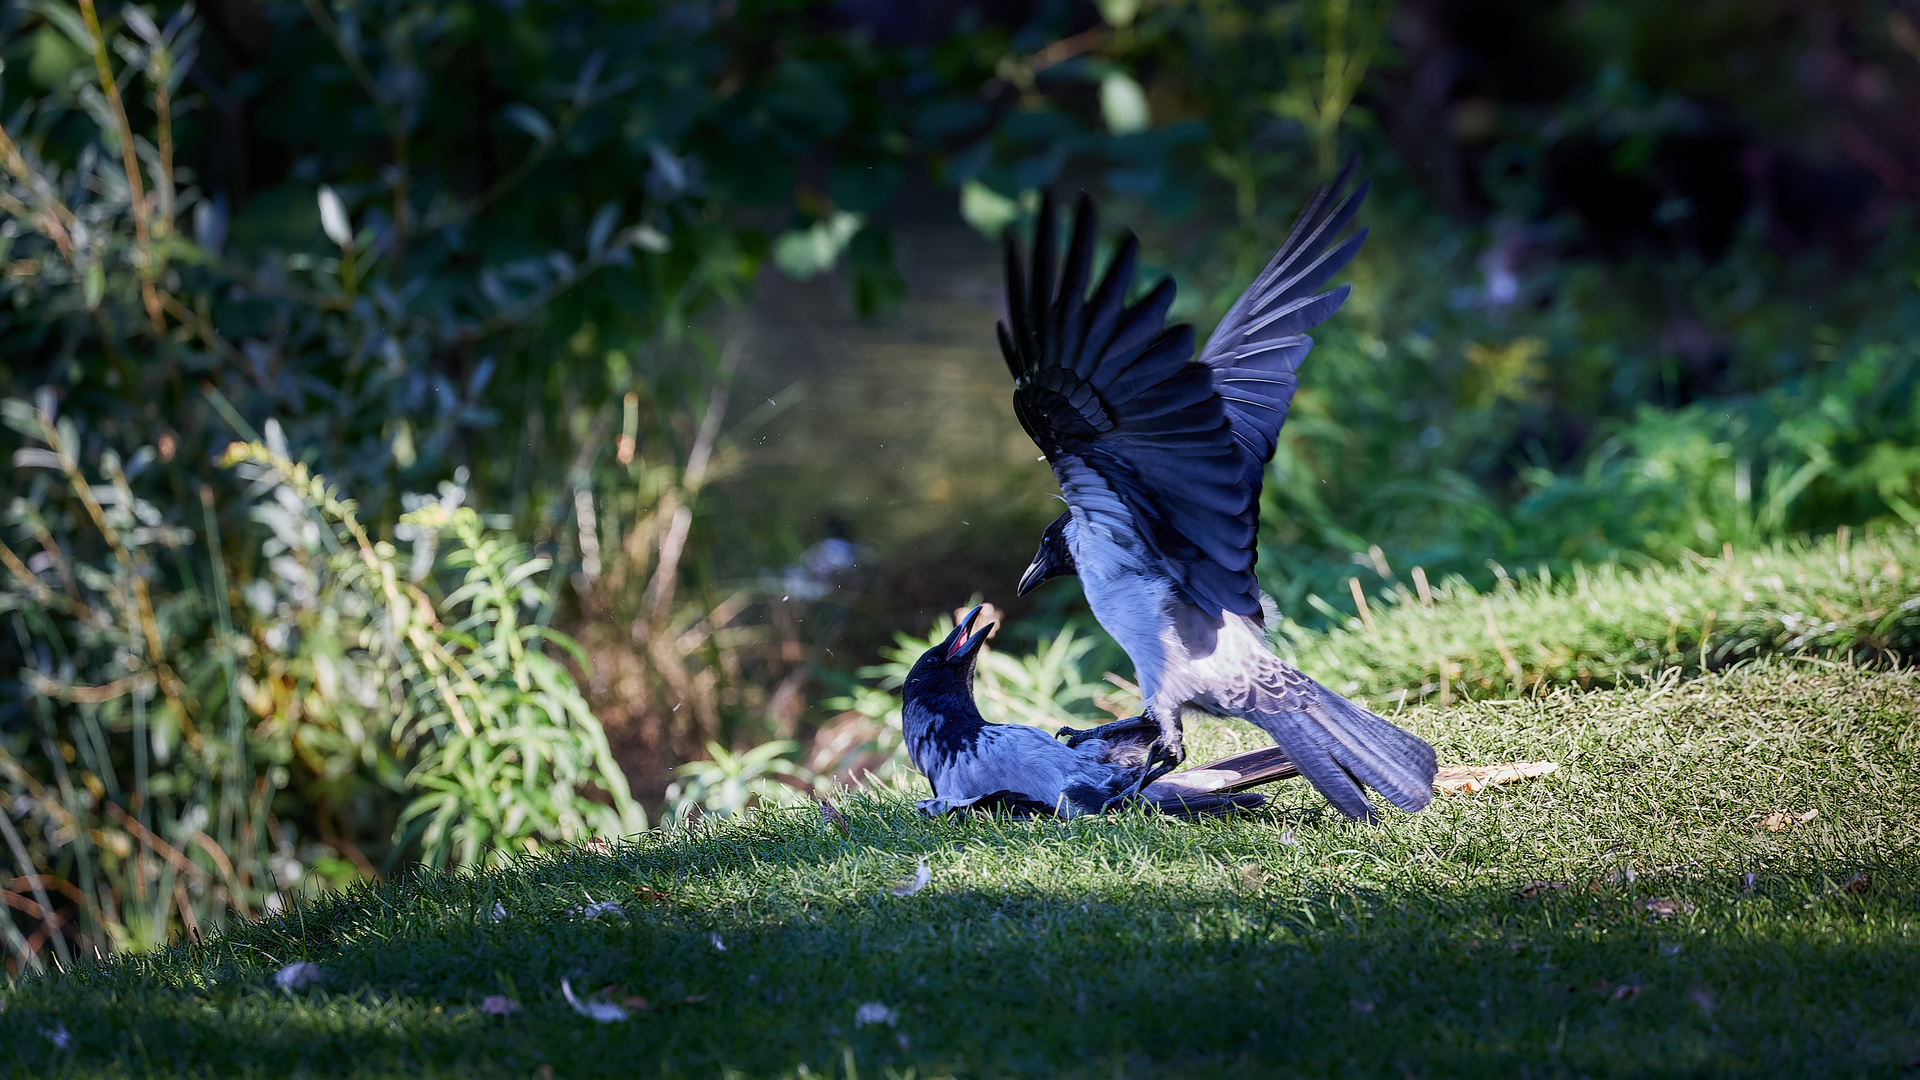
(1161, 458)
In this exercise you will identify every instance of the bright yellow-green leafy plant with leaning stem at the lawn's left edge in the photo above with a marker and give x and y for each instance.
(506, 752)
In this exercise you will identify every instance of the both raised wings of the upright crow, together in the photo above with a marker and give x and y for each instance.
(1174, 443)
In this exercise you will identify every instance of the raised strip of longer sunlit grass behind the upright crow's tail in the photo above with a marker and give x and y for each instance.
(1840, 597)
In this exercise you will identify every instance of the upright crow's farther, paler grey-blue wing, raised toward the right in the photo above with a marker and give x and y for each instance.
(1260, 343)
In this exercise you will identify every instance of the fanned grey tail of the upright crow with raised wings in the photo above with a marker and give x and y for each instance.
(1339, 747)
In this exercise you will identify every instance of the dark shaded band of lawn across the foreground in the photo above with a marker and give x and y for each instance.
(1800, 975)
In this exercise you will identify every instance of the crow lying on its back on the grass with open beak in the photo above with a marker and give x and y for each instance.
(1017, 768)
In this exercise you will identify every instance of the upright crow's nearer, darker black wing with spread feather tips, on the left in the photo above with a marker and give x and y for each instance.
(1109, 389)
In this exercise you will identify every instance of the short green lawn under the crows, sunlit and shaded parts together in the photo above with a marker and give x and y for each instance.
(1130, 946)
